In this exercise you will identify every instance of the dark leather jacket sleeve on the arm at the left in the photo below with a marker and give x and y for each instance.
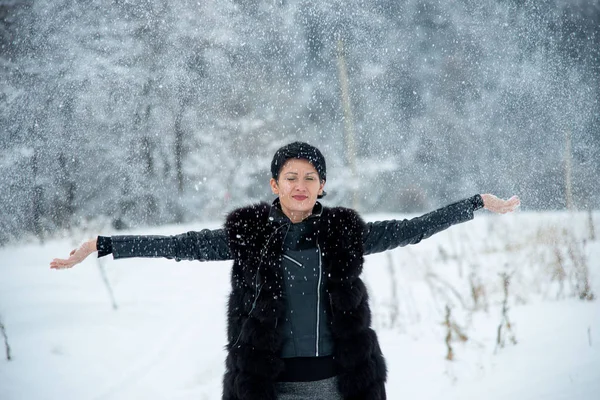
(204, 245)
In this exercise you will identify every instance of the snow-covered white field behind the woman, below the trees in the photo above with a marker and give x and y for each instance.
(165, 337)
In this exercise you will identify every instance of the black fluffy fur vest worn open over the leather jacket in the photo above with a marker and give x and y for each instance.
(257, 302)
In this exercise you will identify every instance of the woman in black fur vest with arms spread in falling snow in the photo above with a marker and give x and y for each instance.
(298, 314)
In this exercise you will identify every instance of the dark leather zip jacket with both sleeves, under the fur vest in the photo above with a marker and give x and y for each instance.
(305, 328)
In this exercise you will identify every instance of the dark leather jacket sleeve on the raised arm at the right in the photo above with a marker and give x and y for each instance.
(386, 235)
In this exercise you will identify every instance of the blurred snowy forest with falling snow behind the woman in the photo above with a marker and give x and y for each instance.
(150, 112)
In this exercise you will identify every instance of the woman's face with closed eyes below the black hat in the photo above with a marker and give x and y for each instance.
(298, 186)
